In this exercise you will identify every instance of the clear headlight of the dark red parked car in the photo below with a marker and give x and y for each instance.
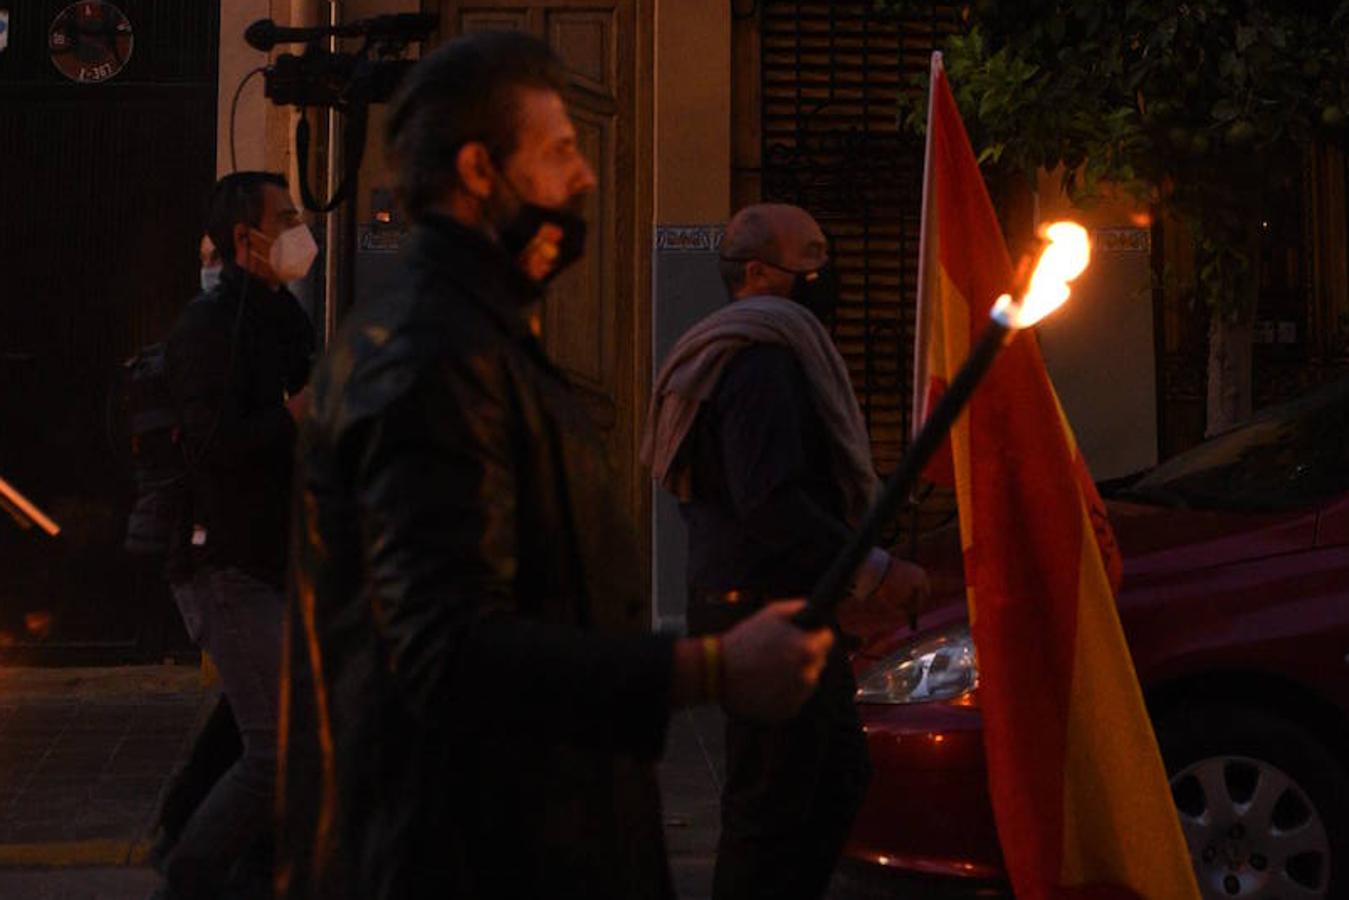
(936, 667)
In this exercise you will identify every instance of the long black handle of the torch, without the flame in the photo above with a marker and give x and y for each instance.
(832, 589)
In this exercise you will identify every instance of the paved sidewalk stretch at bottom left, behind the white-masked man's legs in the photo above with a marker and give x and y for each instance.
(84, 755)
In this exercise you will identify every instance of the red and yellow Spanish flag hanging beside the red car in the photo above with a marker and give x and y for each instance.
(1079, 789)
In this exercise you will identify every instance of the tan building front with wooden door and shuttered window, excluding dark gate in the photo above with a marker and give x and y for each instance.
(693, 109)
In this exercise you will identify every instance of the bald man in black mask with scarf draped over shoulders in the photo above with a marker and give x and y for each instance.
(755, 427)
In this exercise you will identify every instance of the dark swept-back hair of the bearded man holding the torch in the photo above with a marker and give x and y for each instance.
(462, 92)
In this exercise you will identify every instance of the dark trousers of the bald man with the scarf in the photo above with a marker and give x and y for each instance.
(793, 790)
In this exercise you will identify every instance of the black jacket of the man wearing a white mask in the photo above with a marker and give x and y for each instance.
(230, 372)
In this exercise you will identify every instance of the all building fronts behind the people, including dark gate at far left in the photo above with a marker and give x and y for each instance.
(687, 109)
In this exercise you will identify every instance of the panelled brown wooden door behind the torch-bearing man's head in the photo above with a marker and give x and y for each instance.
(597, 320)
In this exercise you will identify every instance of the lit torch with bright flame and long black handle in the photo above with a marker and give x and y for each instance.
(1065, 257)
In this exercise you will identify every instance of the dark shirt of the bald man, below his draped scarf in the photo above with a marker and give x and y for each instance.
(768, 515)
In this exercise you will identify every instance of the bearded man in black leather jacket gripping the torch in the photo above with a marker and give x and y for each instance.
(471, 705)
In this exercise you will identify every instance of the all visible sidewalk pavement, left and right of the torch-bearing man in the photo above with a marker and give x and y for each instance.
(86, 754)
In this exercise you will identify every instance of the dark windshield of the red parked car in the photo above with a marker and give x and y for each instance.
(1290, 457)
